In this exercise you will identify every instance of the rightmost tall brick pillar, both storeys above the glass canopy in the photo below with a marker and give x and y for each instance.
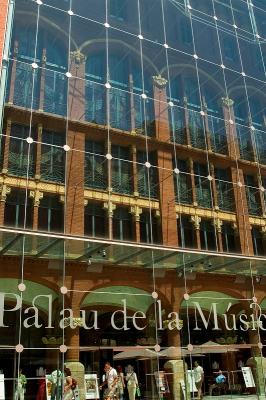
(242, 213)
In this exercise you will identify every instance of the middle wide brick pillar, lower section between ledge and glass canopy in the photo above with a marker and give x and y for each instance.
(167, 198)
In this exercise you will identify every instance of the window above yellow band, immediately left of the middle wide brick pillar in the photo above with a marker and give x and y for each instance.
(147, 177)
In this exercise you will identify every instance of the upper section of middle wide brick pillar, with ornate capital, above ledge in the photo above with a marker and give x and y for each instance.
(161, 109)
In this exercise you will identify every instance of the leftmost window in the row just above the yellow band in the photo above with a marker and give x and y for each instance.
(21, 159)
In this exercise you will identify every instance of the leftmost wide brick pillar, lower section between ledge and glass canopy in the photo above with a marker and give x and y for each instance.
(74, 190)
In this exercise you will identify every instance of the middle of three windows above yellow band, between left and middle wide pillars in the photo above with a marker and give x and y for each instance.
(122, 174)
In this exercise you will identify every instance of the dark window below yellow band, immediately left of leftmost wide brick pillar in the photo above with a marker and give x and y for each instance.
(51, 214)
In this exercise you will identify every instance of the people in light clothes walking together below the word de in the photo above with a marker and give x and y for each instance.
(115, 382)
